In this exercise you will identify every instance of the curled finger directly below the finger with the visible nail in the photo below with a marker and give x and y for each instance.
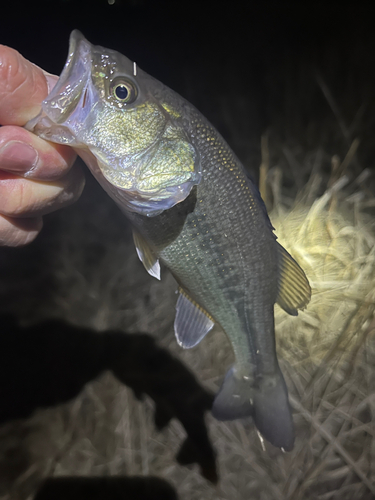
(21, 197)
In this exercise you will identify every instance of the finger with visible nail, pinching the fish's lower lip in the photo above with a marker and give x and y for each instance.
(26, 155)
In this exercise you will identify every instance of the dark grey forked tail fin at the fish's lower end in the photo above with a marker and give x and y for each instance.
(265, 399)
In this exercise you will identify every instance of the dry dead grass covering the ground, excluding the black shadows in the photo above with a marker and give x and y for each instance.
(84, 269)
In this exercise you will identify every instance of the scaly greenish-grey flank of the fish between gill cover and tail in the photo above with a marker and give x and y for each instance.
(225, 254)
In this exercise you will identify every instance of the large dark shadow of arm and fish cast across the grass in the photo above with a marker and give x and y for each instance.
(50, 362)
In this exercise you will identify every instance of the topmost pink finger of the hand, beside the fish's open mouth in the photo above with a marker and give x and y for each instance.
(23, 86)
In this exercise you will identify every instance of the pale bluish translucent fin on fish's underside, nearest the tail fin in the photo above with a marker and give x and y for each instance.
(191, 323)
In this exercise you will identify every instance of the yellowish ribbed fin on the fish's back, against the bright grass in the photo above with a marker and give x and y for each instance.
(294, 288)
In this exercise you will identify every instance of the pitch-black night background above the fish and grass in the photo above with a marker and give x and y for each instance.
(245, 65)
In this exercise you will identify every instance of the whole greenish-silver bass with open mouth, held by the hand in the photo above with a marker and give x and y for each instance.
(192, 208)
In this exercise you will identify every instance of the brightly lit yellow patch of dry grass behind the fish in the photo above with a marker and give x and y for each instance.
(334, 243)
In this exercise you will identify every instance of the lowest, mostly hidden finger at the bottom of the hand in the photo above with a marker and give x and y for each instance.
(17, 232)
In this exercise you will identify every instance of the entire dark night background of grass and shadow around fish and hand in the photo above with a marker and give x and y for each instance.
(95, 394)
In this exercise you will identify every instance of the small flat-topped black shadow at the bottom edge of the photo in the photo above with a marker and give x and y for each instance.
(108, 488)
